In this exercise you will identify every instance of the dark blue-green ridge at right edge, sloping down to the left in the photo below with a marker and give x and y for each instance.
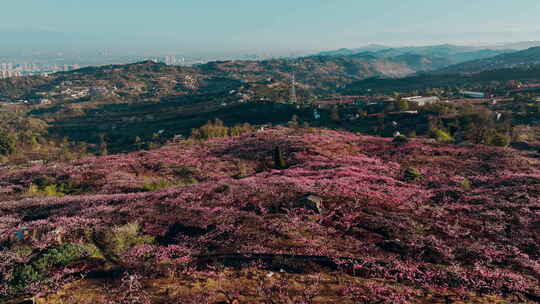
(521, 59)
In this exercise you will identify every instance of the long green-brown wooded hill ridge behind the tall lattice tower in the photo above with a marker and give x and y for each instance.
(321, 74)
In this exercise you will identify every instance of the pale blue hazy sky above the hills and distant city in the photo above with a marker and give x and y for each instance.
(244, 26)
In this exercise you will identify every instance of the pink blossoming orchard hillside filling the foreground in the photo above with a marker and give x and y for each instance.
(464, 227)
